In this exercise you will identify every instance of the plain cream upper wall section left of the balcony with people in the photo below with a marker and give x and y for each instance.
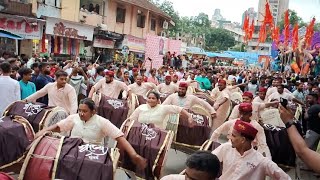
(70, 10)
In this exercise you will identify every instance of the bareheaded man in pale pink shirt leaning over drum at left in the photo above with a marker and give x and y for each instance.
(60, 93)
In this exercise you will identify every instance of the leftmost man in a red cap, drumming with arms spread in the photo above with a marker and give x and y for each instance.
(109, 87)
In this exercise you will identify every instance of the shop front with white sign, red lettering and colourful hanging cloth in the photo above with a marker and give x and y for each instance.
(66, 39)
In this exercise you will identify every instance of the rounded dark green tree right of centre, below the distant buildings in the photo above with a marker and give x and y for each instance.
(219, 39)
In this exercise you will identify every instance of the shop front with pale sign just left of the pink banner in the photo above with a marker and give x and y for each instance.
(132, 50)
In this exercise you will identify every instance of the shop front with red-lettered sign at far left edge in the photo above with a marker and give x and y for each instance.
(29, 29)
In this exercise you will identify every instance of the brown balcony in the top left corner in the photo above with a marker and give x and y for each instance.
(18, 8)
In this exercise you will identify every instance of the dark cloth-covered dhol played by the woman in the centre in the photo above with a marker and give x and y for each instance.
(149, 142)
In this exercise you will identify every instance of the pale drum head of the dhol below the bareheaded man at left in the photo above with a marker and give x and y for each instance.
(57, 114)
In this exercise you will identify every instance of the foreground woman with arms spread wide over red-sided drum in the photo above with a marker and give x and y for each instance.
(92, 128)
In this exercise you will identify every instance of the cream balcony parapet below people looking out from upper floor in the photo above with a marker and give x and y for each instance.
(91, 18)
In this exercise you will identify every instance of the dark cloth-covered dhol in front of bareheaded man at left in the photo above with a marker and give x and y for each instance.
(39, 115)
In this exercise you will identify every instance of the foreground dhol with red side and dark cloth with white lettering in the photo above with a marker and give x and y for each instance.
(67, 158)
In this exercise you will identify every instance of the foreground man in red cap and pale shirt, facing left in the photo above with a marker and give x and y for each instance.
(241, 161)
